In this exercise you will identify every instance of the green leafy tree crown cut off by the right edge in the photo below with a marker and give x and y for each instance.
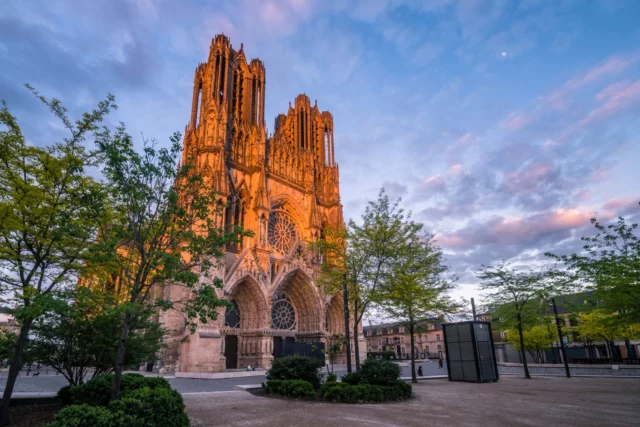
(610, 265)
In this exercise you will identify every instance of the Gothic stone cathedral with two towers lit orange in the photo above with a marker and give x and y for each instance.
(284, 187)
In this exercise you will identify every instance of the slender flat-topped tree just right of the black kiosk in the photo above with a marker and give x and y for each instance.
(516, 294)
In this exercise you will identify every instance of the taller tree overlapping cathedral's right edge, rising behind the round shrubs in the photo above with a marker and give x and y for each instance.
(365, 253)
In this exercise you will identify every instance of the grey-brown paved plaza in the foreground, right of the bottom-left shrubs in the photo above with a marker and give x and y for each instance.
(542, 401)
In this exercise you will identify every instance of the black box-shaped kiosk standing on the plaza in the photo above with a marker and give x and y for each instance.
(470, 353)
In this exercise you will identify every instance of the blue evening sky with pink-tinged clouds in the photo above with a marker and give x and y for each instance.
(504, 126)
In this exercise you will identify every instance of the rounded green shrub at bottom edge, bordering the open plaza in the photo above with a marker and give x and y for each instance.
(158, 407)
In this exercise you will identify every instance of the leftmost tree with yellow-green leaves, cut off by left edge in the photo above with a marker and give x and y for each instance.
(48, 211)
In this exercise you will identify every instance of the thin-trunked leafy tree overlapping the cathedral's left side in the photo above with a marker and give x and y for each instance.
(165, 229)
